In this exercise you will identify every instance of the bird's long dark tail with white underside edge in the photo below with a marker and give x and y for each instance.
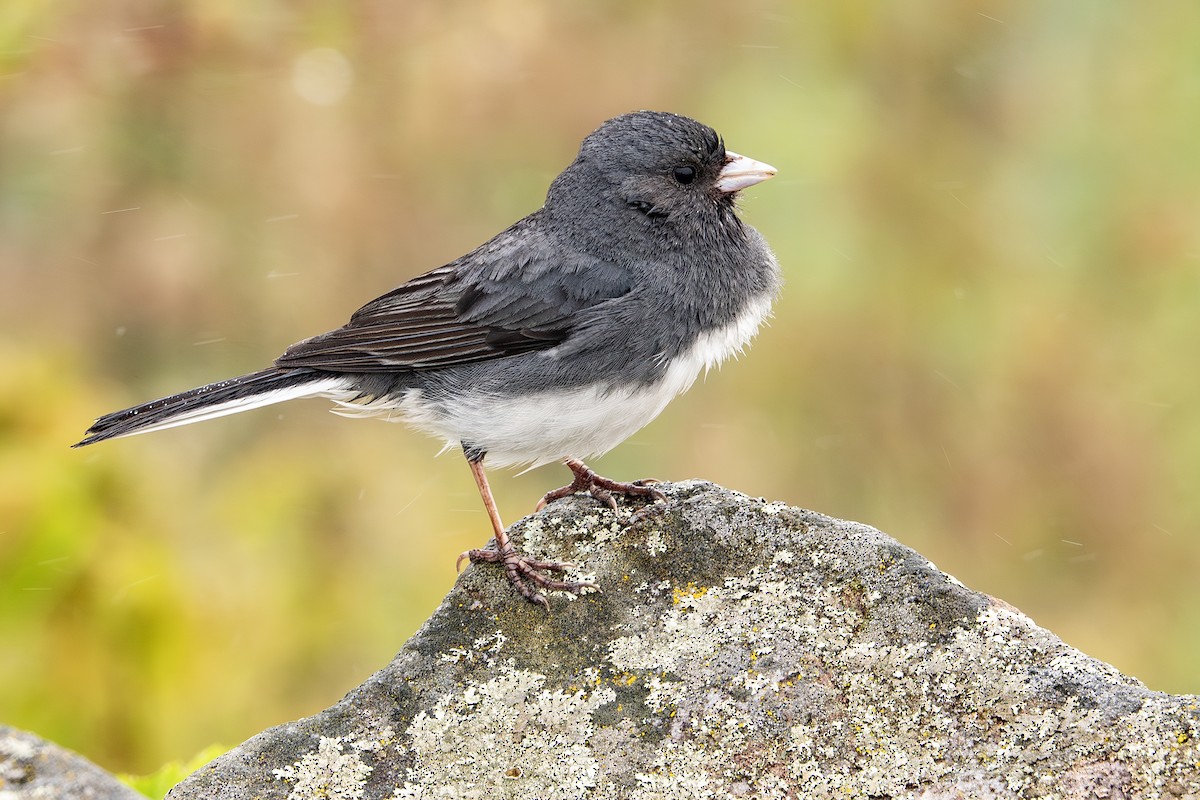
(257, 389)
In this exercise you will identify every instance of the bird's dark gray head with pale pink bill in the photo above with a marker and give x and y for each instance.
(657, 171)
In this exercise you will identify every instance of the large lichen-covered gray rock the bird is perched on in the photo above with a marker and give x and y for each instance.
(739, 649)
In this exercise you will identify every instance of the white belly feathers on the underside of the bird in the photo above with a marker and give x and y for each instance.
(555, 425)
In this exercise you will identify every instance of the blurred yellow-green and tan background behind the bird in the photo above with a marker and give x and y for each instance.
(988, 215)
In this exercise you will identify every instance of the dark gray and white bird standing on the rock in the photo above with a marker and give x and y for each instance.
(556, 340)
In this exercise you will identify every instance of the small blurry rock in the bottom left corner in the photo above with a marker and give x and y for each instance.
(34, 769)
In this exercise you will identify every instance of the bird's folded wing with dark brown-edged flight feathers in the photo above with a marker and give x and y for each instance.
(514, 294)
